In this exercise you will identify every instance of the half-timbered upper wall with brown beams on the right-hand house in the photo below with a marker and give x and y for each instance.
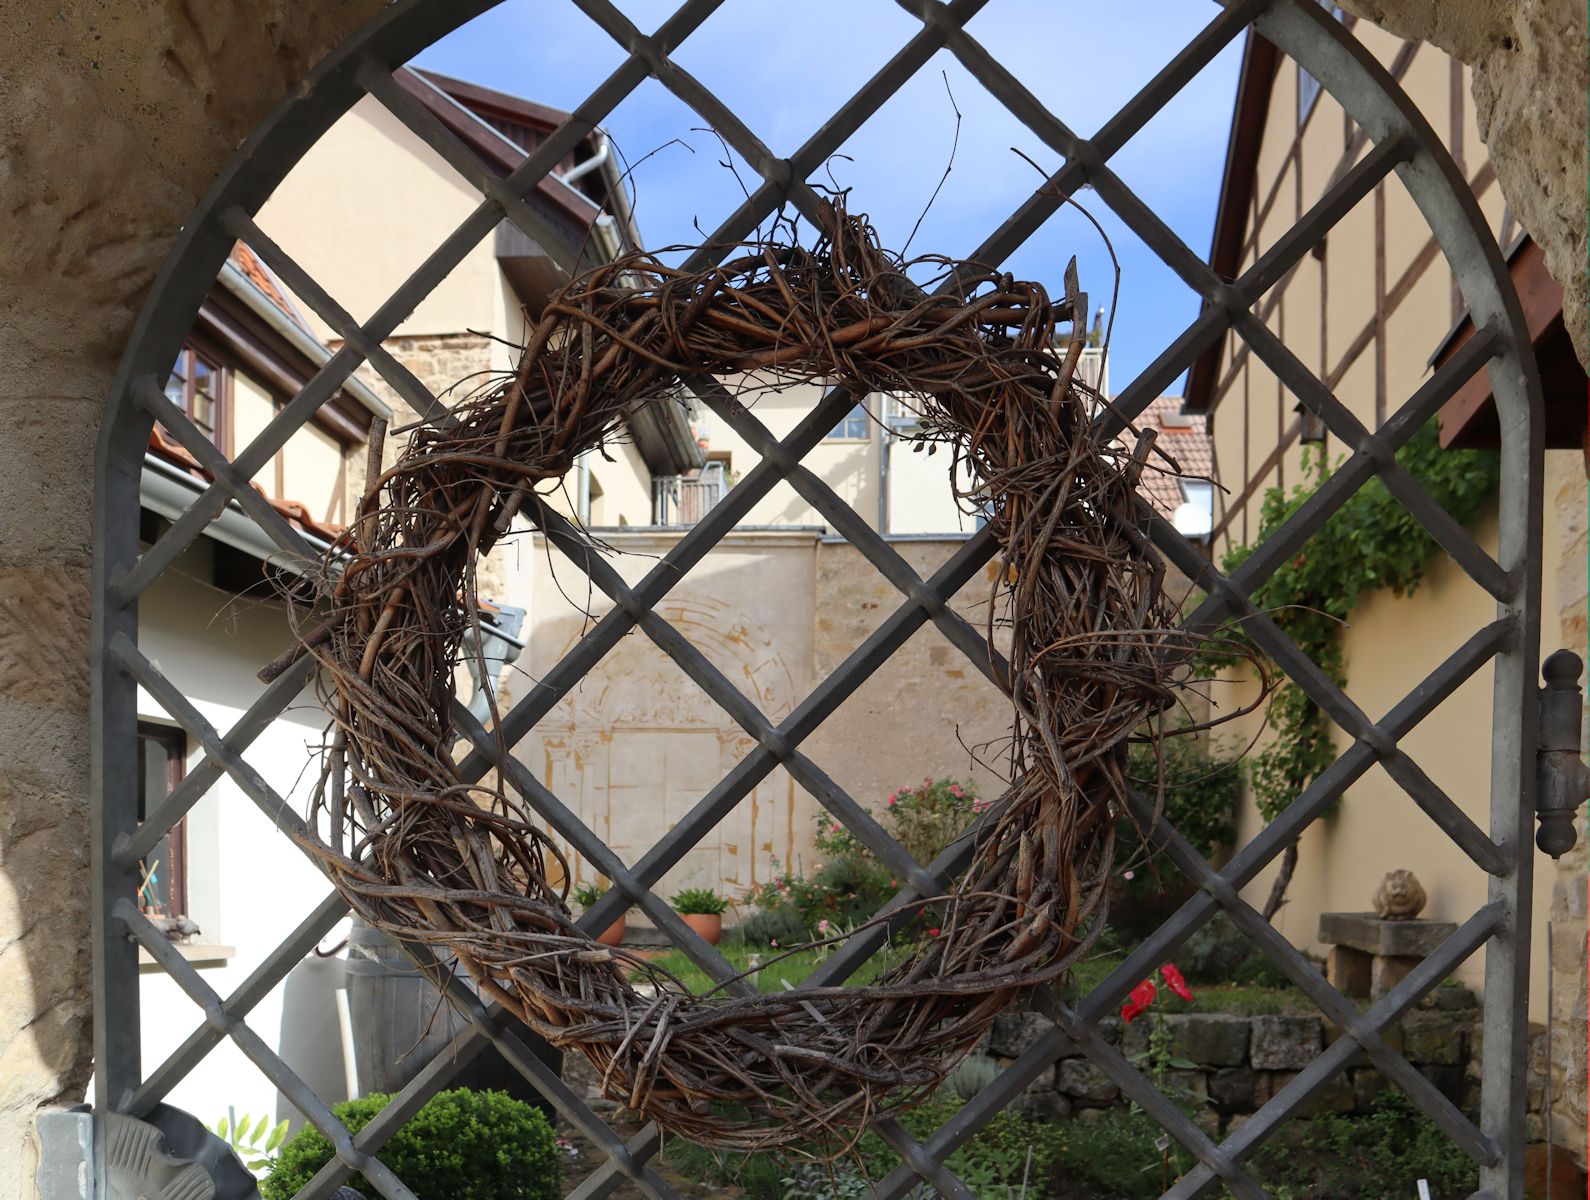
(1327, 308)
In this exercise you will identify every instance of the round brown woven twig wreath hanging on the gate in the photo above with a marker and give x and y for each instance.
(467, 870)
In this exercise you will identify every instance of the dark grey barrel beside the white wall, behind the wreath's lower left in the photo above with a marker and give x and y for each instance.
(401, 1023)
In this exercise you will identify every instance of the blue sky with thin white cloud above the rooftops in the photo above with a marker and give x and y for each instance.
(785, 66)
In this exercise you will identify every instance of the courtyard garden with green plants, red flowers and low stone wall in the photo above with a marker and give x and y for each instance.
(1220, 1031)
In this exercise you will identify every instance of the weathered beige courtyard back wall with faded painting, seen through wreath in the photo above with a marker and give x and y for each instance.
(638, 745)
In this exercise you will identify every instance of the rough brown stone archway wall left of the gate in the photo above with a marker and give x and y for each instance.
(114, 118)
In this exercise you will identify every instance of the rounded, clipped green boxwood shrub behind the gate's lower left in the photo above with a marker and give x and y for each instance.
(463, 1145)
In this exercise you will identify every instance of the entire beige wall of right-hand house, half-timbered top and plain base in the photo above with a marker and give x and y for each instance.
(1367, 312)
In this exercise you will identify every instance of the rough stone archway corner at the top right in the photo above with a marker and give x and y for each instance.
(1530, 83)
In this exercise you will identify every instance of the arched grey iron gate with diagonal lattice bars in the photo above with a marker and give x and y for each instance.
(1402, 141)
